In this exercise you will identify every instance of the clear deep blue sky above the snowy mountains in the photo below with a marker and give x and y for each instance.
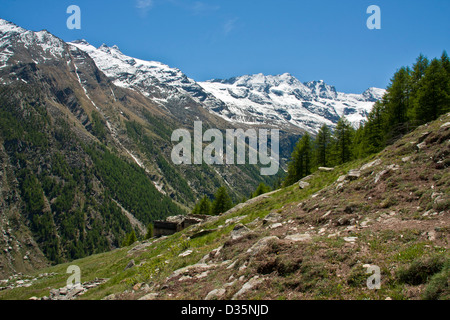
(313, 40)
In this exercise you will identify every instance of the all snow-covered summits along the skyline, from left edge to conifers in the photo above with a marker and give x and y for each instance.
(281, 100)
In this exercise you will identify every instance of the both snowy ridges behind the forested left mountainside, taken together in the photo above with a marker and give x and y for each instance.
(280, 100)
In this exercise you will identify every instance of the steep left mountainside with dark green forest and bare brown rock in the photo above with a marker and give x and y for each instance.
(83, 160)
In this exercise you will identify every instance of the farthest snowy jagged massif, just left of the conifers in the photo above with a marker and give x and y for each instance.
(283, 99)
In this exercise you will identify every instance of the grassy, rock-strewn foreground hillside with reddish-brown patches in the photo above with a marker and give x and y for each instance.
(313, 240)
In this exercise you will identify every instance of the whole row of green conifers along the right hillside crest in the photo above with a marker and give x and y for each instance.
(416, 95)
